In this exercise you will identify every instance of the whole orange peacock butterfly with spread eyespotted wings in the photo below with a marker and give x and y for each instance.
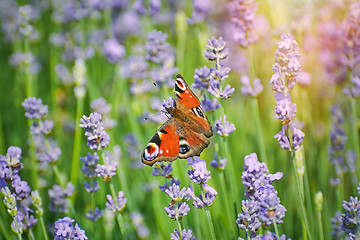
(185, 134)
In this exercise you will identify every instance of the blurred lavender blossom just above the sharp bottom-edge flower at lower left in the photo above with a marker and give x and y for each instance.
(58, 198)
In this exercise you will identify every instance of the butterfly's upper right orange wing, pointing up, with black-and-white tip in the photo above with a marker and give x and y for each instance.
(189, 105)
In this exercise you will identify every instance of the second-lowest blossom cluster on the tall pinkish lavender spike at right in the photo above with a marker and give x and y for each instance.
(284, 109)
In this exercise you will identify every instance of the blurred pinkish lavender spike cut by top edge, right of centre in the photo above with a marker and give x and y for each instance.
(242, 14)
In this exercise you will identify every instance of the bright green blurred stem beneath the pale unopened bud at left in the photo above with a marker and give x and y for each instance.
(77, 143)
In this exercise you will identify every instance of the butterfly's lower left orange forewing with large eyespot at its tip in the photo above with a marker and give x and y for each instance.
(163, 146)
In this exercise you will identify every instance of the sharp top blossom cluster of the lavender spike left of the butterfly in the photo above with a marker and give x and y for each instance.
(94, 131)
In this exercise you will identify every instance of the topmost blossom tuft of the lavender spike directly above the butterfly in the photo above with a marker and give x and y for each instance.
(216, 49)
